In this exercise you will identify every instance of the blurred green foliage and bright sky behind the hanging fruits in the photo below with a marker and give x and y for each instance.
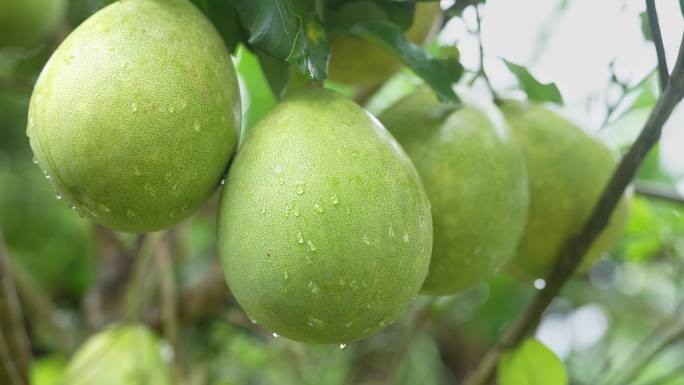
(74, 277)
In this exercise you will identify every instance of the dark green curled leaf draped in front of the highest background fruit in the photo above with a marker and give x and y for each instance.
(439, 74)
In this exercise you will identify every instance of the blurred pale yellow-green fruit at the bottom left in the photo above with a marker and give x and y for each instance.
(119, 355)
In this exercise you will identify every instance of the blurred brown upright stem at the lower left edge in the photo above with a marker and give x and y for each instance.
(12, 320)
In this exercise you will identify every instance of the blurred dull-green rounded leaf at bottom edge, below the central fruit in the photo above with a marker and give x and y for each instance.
(422, 363)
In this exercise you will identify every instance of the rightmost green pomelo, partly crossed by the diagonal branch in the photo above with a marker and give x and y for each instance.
(567, 171)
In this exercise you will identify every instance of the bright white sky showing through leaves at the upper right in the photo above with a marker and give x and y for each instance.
(574, 48)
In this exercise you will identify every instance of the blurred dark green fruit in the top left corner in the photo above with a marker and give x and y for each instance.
(25, 23)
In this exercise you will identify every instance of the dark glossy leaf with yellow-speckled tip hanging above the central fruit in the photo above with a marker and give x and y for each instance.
(291, 34)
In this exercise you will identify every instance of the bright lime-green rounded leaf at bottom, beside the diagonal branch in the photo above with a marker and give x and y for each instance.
(531, 363)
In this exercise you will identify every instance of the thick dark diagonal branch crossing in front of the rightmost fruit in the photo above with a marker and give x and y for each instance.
(576, 246)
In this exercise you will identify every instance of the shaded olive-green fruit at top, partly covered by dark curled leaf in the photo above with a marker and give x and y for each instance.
(360, 62)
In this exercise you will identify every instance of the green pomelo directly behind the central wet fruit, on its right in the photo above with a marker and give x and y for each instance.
(474, 174)
